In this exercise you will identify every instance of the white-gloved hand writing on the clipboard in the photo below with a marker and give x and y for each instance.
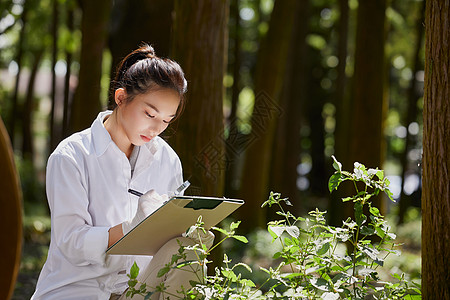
(147, 204)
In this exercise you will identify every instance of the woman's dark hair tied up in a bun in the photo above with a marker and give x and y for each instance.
(142, 71)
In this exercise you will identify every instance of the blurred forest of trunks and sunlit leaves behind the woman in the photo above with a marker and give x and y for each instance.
(274, 89)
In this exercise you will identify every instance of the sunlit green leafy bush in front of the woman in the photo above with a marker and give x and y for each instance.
(312, 262)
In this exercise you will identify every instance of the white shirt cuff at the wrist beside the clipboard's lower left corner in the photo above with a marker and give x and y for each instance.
(96, 244)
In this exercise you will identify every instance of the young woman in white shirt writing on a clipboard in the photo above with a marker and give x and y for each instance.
(88, 177)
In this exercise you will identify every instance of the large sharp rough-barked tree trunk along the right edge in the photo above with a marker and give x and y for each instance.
(436, 154)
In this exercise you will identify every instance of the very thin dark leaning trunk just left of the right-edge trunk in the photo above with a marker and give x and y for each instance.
(411, 115)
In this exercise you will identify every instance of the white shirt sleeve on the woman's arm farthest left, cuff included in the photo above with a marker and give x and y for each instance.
(73, 230)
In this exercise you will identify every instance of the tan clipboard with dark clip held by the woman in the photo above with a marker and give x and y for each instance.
(171, 220)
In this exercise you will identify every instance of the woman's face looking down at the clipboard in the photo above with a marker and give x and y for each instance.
(147, 115)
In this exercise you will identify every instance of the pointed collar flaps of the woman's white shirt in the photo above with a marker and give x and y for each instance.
(102, 138)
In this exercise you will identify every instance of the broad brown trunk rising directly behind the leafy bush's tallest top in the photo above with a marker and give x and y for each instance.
(366, 131)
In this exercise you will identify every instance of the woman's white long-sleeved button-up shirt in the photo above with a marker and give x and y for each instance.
(87, 184)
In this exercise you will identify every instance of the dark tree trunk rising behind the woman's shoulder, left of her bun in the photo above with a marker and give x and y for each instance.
(87, 104)
